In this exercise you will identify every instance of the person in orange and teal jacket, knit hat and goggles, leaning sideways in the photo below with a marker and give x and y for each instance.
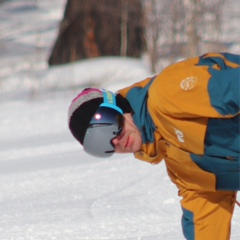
(187, 115)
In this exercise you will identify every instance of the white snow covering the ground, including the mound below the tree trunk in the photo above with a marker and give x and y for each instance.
(49, 188)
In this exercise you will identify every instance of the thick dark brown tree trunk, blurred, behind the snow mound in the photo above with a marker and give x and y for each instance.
(92, 28)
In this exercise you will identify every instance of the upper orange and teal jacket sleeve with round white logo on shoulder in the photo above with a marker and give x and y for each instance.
(189, 89)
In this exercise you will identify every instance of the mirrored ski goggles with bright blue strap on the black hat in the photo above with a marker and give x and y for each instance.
(105, 125)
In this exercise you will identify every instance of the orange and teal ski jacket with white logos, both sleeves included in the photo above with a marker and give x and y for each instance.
(189, 116)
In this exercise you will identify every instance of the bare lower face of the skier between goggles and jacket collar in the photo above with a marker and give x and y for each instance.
(130, 139)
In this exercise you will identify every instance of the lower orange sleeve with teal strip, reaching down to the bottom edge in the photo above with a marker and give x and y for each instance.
(207, 215)
